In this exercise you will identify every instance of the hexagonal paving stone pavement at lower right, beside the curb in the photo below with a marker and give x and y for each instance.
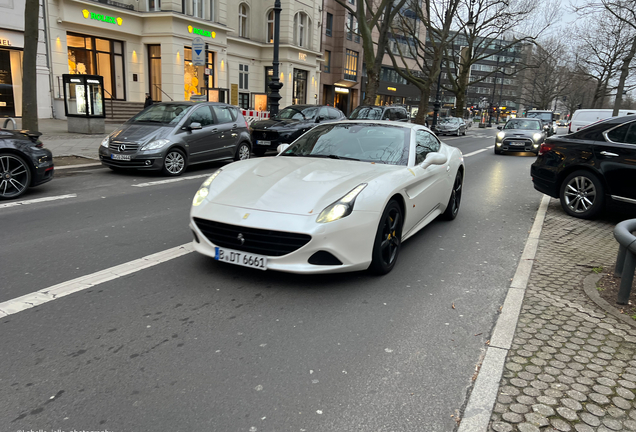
(572, 366)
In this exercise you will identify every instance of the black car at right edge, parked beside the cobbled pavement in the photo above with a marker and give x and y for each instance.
(589, 168)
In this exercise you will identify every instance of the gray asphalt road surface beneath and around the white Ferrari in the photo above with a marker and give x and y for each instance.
(192, 344)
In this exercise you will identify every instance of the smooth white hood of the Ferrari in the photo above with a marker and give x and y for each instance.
(295, 185)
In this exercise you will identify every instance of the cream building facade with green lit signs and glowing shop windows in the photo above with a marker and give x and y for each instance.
(146, 46)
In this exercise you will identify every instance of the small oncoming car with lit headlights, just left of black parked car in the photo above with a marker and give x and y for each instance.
(520, 135)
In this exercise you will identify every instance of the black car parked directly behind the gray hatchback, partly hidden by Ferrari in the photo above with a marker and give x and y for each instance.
(290, 123)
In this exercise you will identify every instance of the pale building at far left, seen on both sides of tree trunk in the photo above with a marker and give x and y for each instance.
(11, 60)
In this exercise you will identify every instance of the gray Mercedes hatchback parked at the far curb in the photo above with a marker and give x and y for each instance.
(169, 136)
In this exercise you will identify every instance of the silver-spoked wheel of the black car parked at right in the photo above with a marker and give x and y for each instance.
(582, 195)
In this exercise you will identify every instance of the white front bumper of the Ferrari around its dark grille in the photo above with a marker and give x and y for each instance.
(349, 239)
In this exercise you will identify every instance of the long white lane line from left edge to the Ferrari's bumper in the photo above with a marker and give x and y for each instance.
(54, 292)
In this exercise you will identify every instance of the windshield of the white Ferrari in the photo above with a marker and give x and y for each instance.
(370, 143)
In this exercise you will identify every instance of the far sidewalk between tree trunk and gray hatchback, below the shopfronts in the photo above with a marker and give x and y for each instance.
(56, 138)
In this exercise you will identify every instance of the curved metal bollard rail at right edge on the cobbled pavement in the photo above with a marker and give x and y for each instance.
(626, 258)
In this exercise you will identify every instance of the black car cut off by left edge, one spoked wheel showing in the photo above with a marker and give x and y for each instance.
(23, 162)
